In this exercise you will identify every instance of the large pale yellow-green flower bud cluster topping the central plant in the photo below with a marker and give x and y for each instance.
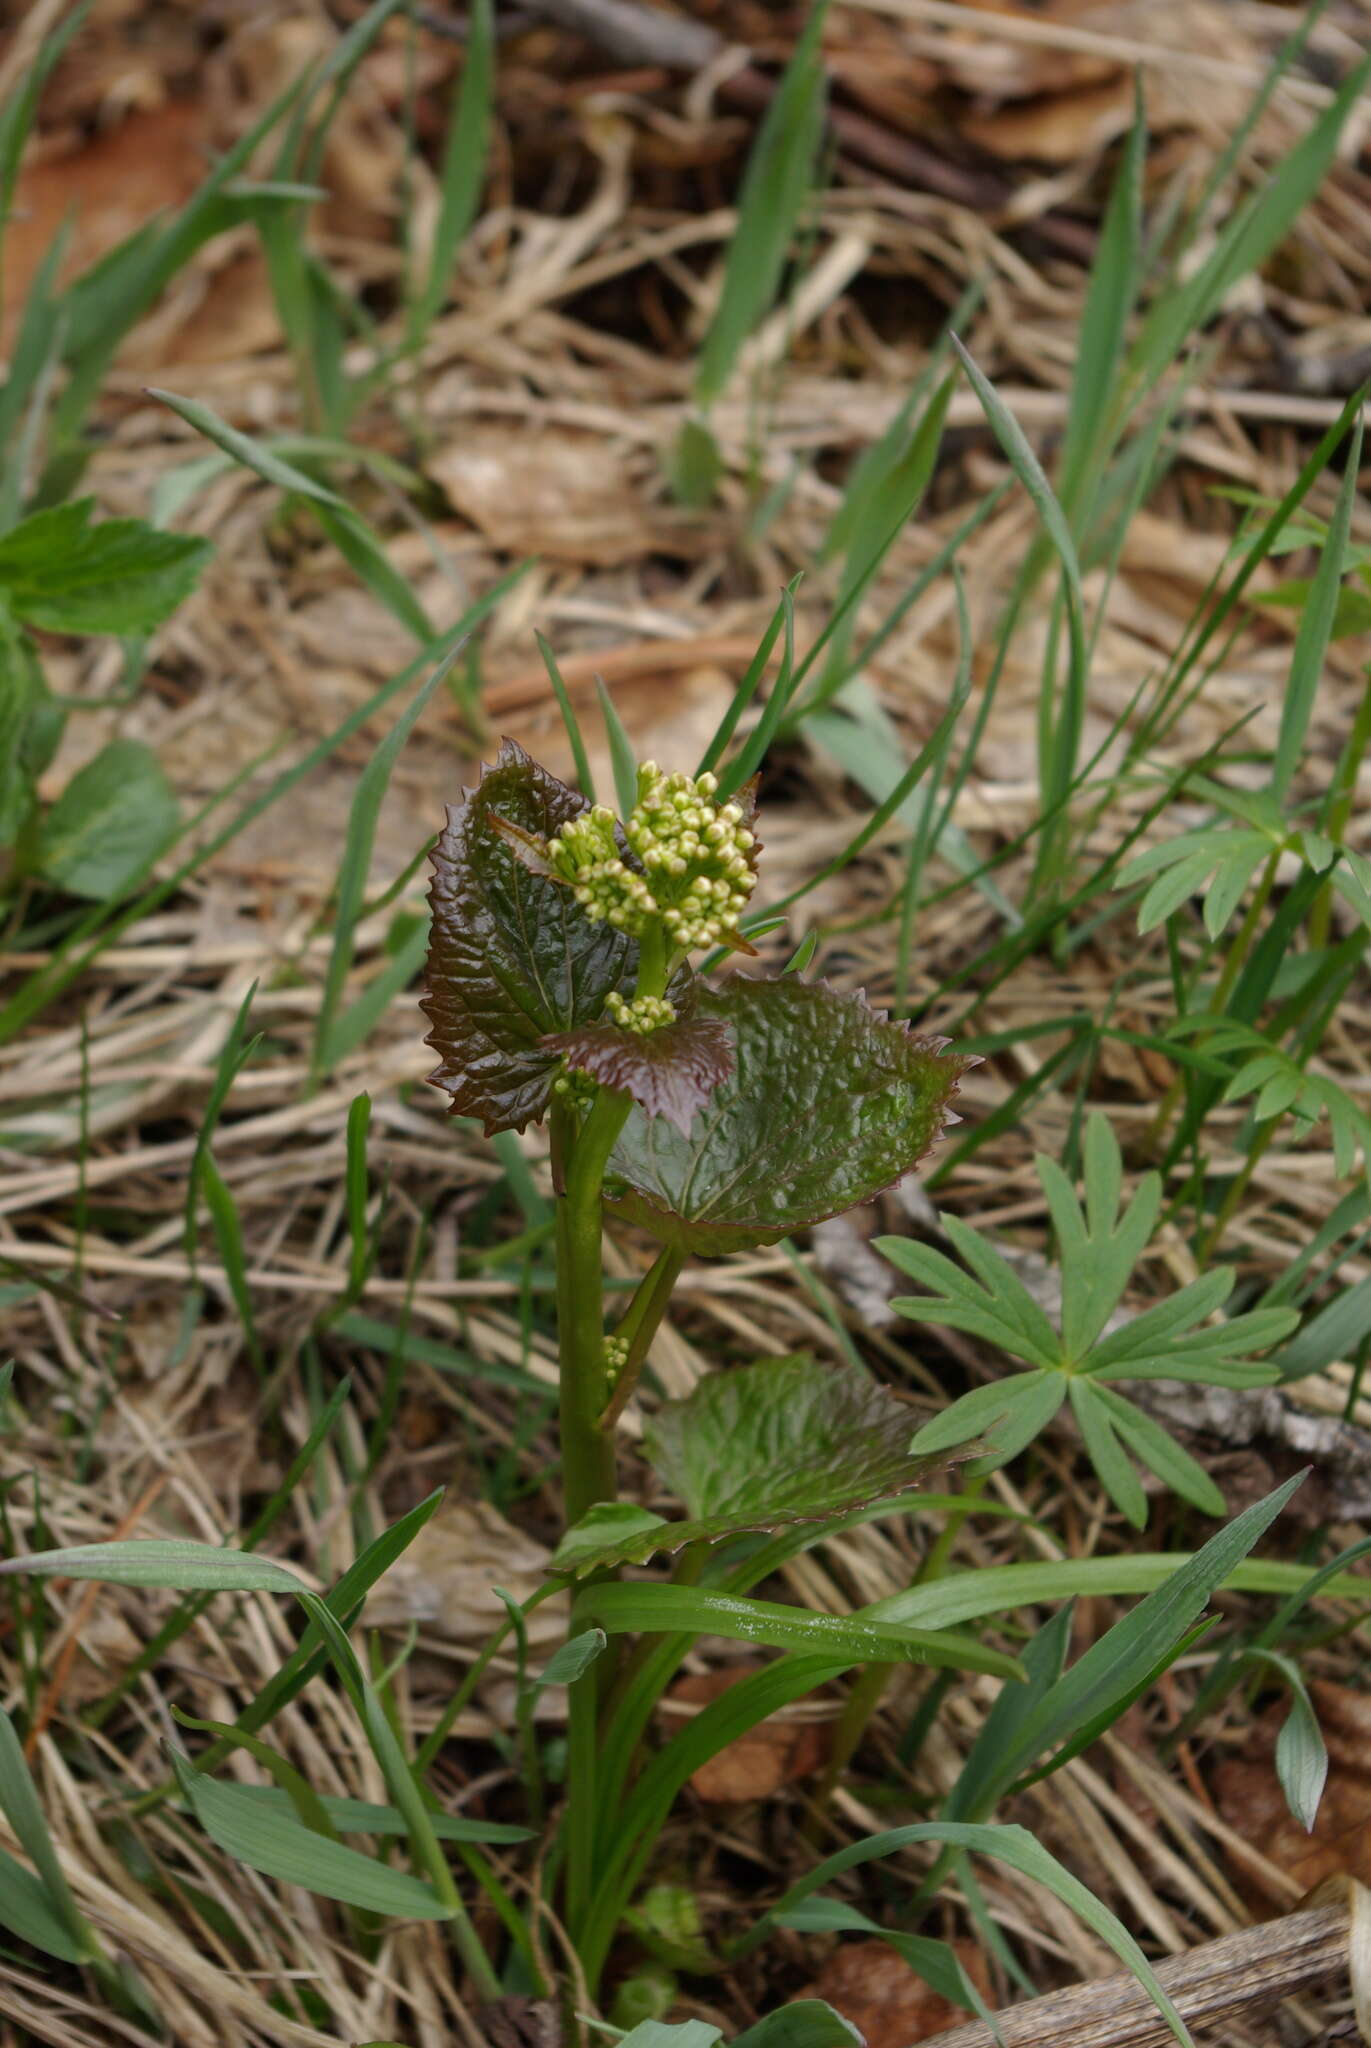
(696, 857)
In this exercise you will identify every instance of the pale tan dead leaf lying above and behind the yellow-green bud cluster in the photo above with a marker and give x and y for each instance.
(560, 495)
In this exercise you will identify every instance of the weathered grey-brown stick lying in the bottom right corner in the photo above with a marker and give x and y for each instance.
(1210, 1988)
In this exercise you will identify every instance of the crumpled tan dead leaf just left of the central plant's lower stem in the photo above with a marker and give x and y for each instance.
(446, 1578)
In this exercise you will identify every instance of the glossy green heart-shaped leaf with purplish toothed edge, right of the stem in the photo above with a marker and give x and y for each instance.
(827, 1105)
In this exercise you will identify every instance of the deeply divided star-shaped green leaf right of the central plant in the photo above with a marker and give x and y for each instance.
(1099, 1246)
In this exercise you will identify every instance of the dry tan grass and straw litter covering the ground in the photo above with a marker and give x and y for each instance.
(540, 415)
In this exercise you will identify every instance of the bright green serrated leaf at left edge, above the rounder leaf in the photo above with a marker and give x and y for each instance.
(69, 574)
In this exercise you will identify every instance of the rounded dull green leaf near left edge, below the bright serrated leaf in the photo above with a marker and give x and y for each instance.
(110, 824)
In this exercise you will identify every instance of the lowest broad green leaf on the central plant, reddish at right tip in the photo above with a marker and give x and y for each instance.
(759, 1449)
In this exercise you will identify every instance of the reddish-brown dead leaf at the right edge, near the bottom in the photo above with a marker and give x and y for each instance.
(1249, 1795)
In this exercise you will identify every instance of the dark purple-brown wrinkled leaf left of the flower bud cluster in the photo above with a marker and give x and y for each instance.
(513, 957)
